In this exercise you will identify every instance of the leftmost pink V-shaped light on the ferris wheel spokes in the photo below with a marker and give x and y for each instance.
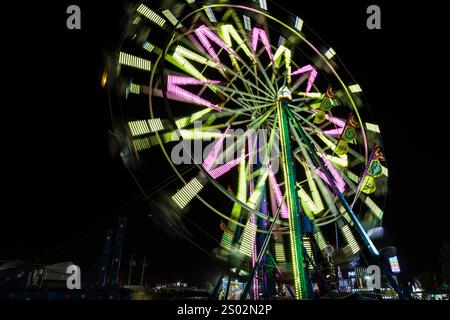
(173, 83)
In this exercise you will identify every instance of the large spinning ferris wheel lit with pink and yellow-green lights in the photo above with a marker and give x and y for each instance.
(283, 146)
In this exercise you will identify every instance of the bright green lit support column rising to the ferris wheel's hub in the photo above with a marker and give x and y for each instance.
(295, 225)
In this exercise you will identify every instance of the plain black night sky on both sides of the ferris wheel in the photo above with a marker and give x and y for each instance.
(61, 188)
